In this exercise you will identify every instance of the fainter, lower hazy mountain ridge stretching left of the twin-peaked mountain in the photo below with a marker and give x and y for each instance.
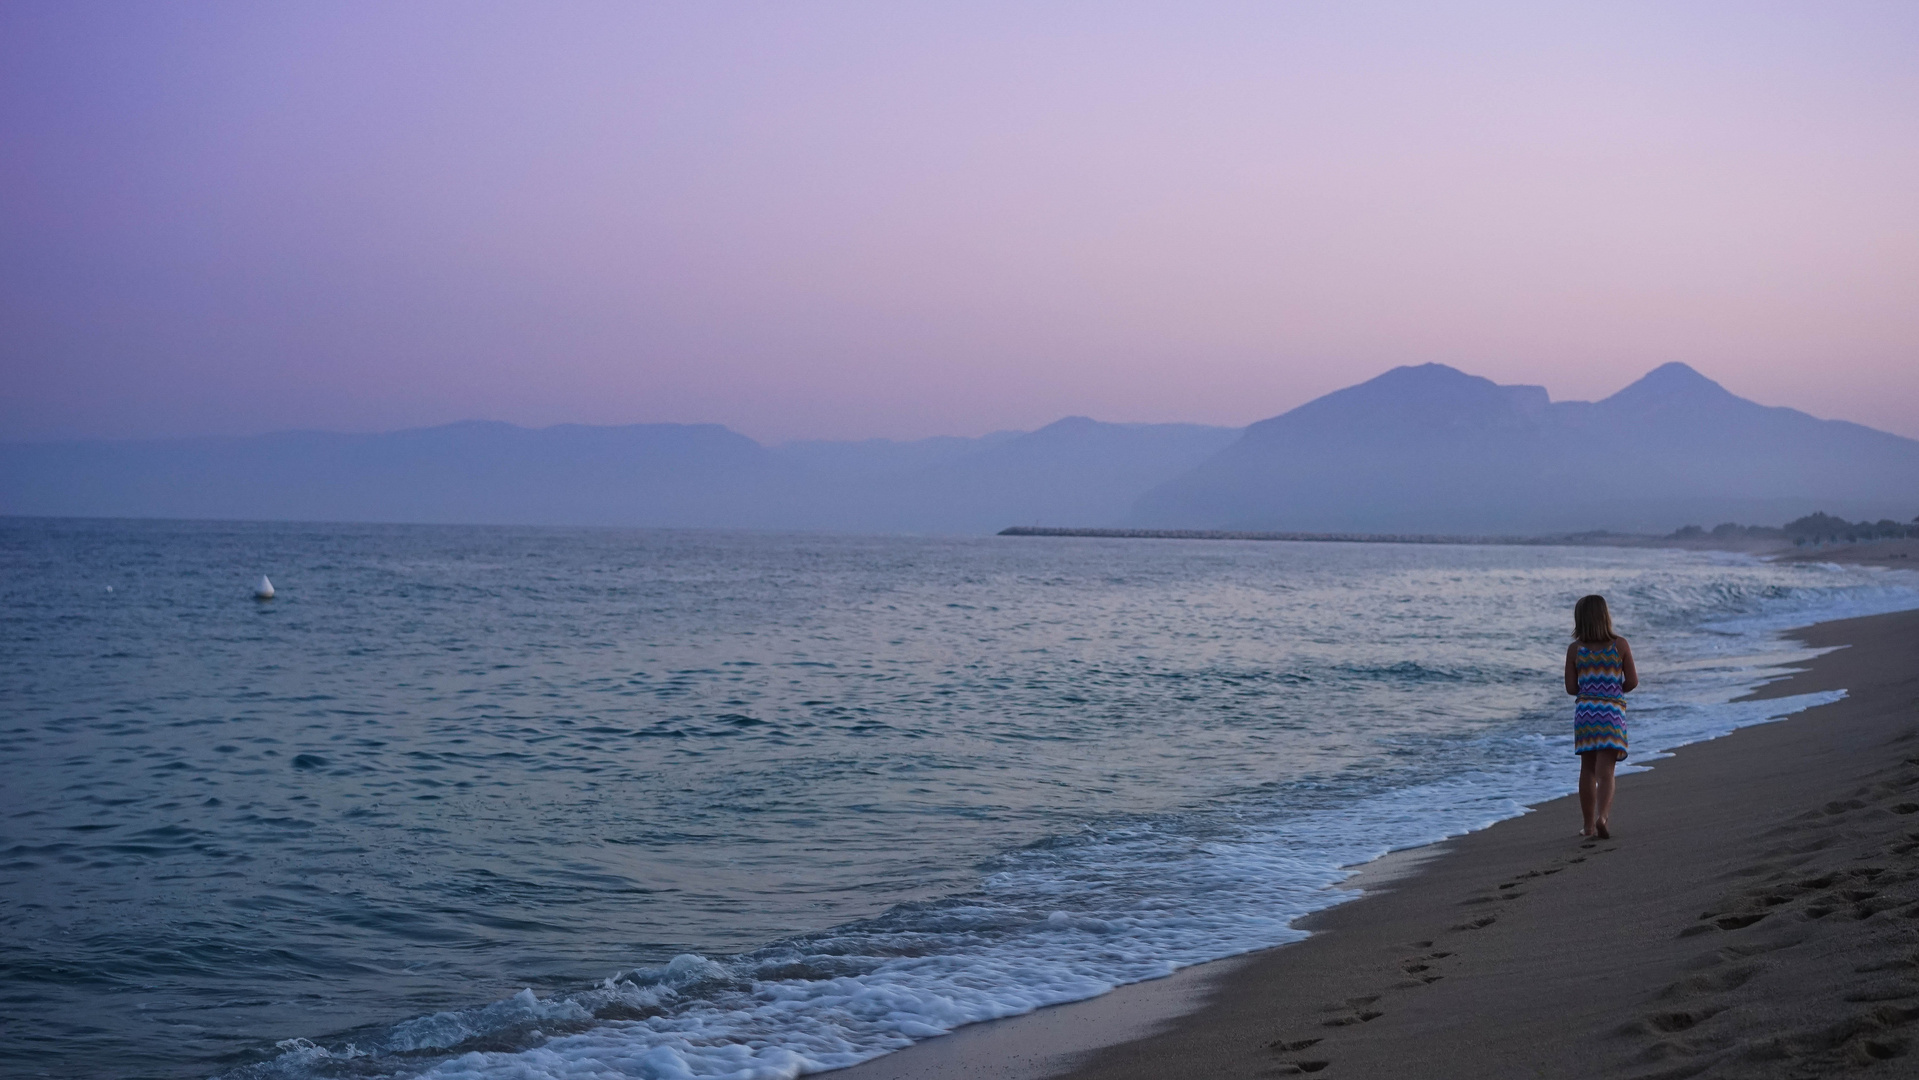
(646, 475)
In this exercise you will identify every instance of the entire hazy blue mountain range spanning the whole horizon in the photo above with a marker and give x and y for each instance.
(1415, 450)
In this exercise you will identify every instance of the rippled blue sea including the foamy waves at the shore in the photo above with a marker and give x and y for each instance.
(506, 803)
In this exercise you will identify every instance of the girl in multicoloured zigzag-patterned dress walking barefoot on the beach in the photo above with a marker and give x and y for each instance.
(1599, 670)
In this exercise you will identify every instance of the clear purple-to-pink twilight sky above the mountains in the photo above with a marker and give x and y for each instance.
(911, 220)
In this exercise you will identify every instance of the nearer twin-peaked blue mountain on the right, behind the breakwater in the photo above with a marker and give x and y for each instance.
(1431, 450)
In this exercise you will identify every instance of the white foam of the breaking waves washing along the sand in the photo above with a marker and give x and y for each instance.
(1239, 895)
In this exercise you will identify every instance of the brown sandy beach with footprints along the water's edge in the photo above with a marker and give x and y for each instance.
(1757, 914)
